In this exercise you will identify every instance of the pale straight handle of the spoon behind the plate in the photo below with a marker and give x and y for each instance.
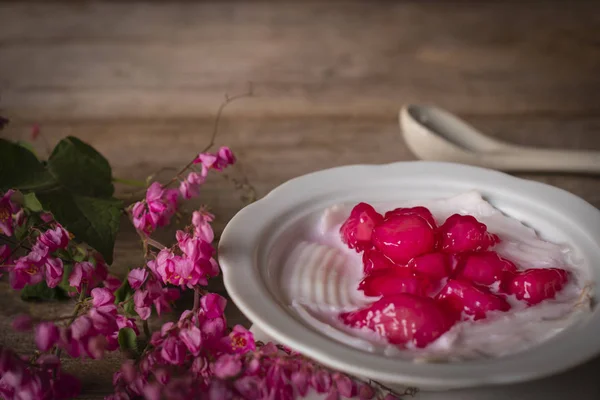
(547, 160)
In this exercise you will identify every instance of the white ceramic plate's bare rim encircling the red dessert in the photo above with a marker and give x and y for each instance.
(252, 282)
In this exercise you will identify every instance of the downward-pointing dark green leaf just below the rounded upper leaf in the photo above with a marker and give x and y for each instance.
(91, 220)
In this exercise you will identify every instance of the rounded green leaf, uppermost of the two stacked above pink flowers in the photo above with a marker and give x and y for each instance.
(80, 168)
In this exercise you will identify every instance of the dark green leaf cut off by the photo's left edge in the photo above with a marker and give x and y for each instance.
(20, 169)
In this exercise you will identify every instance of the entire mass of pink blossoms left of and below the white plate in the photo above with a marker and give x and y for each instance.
(197, 357)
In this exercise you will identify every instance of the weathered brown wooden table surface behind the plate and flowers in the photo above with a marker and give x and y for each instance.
(142, 81)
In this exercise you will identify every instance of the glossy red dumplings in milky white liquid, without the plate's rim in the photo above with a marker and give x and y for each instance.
(438, 280)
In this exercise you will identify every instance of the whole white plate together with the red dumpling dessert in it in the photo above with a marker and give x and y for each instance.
(438, 301)
